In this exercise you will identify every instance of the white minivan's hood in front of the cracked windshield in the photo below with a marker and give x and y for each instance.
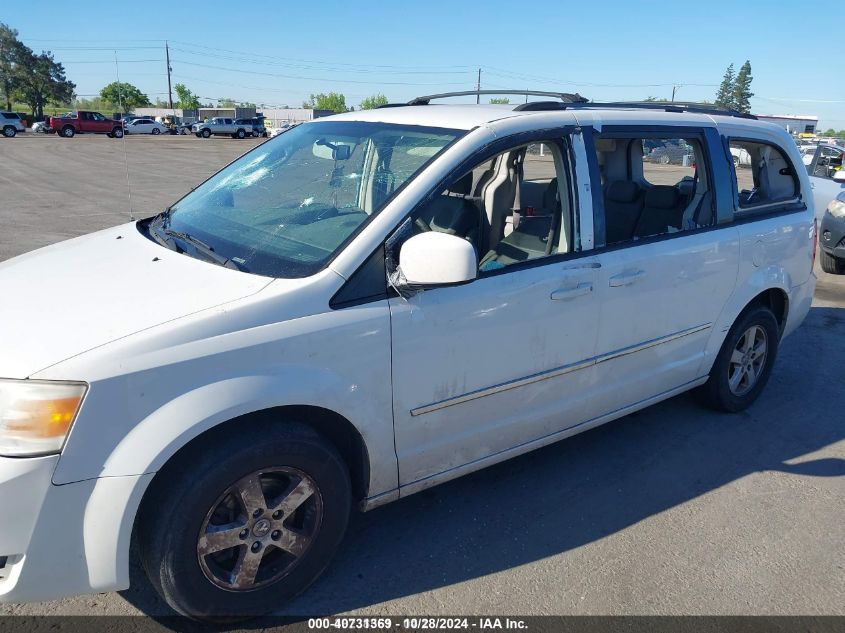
(71, 297)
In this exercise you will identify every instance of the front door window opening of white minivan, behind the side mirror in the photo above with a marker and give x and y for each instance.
(513, 207)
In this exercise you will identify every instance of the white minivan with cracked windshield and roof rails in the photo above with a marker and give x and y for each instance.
(369, 305)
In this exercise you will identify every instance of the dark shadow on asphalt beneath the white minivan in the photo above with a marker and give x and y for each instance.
(584, 488)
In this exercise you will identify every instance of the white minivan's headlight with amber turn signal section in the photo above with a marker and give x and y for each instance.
(36, 416)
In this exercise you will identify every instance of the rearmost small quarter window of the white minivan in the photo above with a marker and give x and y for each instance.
(764, 176)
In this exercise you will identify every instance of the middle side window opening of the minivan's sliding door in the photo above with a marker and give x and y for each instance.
(652, 185)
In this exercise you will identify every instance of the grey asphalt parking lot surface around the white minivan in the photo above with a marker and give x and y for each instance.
(673, 510)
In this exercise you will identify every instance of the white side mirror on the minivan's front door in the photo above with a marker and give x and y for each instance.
(436, 259)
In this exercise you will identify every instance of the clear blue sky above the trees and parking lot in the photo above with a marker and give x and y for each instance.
(606, 50)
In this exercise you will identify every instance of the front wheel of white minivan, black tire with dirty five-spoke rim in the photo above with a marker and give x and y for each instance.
(184, 501)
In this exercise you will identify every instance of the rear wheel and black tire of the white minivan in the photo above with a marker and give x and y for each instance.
(718, 391)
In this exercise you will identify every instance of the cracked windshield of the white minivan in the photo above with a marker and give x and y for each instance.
(284, 209)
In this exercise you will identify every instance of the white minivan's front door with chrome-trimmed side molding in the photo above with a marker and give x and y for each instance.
(485, 370)
